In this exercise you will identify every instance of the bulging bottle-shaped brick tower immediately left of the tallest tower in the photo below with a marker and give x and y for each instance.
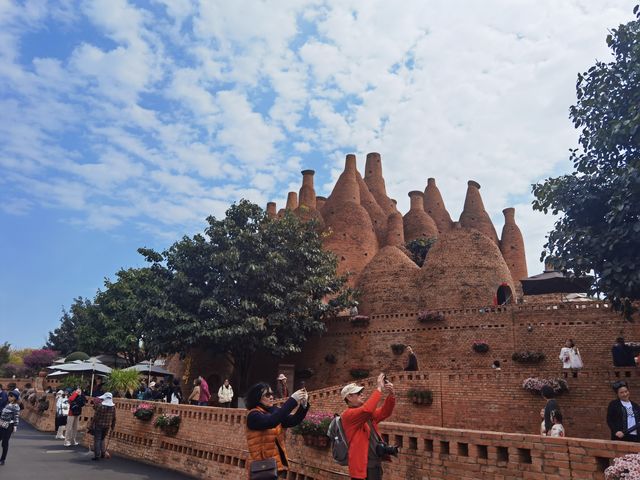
(351, 235)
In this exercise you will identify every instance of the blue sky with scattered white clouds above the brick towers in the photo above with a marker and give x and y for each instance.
(125, 123)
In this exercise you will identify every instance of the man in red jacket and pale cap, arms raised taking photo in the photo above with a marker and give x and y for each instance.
(364, 464)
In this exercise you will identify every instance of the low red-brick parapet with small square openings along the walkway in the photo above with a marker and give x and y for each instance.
(211, 444)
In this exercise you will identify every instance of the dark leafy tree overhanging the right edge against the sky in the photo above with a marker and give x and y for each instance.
(599, 203)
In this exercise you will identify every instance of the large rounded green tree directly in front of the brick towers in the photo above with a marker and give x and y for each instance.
(249, 284)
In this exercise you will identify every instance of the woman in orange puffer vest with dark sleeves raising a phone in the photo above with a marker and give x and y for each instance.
(266, 425)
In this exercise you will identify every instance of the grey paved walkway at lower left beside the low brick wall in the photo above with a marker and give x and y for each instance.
(35, 455)
